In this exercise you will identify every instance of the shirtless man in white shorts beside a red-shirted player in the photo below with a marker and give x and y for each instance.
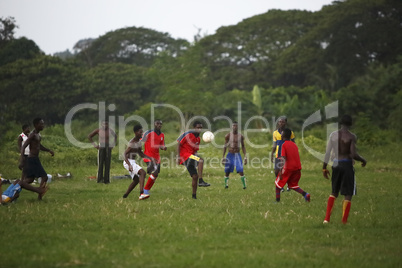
(136, 171)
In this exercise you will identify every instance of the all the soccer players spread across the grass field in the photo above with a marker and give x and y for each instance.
(341, 148)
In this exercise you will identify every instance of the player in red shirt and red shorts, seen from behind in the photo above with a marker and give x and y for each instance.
(289, 167)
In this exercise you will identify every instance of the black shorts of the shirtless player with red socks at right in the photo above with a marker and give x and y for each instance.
(343, 178)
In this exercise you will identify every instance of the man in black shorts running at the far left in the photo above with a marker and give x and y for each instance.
(33, 167)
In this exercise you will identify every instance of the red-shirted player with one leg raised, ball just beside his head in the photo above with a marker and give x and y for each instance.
(188, 145)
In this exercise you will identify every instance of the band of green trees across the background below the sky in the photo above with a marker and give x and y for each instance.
(280, 62)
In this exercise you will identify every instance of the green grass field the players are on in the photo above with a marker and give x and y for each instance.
(84, 224)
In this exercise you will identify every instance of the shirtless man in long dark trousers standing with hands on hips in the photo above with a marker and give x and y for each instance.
(107, 140)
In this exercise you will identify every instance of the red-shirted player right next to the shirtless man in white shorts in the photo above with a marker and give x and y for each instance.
(154, 140)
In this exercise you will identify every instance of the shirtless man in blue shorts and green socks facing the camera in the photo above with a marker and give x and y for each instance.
(233, 141)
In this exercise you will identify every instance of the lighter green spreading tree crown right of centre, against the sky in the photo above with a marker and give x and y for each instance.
(245, 54)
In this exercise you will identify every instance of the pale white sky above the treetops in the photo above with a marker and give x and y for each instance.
(56, 25)
